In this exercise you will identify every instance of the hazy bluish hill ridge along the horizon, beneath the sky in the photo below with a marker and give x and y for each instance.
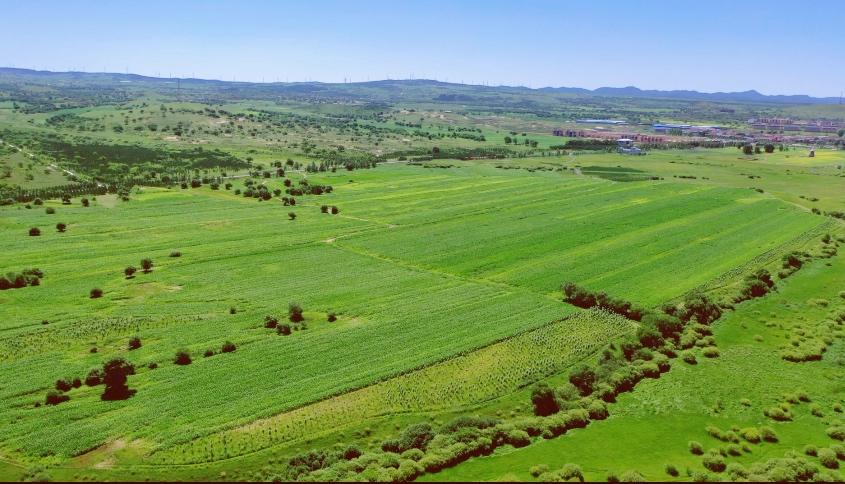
(440, 91)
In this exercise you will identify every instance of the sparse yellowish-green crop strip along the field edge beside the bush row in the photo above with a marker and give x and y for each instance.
(465, 380)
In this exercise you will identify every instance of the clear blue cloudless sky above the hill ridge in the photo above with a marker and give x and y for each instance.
(773, 46)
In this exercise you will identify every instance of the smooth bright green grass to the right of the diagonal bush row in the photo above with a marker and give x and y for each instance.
(651, 427)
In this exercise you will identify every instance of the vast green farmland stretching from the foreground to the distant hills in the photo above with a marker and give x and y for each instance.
(292, 279)
